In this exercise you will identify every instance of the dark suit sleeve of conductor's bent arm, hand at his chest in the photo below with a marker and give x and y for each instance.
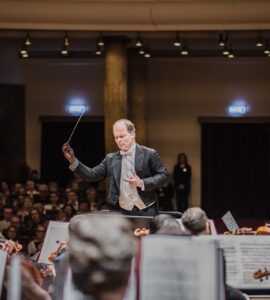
(159, 171)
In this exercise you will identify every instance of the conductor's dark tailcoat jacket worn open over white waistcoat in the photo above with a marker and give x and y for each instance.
(148, 166)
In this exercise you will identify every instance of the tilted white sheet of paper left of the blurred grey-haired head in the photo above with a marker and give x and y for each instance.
(57, 231)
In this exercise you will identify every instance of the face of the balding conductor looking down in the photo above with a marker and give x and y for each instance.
(123, 138)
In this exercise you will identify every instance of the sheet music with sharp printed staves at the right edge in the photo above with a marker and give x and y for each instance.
(244, 256)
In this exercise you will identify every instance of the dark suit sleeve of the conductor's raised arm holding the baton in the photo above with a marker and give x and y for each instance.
(92, 174)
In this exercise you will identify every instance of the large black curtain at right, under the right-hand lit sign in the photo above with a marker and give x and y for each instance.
(236, 170)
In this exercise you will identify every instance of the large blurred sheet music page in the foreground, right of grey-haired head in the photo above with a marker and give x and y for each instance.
(178, 268)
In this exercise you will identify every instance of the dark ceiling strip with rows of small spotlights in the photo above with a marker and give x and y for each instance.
(89, 44)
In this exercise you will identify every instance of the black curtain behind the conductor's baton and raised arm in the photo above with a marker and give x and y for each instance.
(87, 143)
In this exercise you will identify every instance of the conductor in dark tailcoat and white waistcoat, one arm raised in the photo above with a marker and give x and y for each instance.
(134, 172)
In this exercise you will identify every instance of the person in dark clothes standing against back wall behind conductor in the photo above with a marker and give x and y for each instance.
(182, 178)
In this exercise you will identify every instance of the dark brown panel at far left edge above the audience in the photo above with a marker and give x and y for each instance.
(12, 133)
